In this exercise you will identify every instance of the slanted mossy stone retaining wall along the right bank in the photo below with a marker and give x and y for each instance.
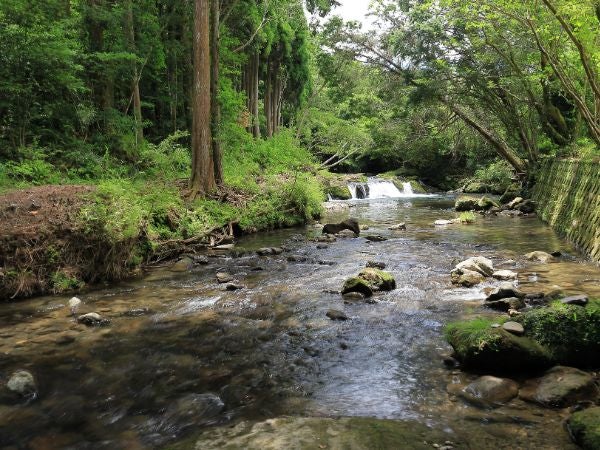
(568, 197)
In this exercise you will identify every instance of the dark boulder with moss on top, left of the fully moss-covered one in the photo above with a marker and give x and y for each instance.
(479, 345)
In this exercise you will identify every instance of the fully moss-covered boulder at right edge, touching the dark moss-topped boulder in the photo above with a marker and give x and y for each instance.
(571, 333)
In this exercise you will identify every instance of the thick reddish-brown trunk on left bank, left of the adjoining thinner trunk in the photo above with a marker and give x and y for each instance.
(203, 176)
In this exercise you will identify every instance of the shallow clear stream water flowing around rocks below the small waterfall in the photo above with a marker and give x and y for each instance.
(269, 349)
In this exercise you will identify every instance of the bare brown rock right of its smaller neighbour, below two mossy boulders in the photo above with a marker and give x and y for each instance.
(560, 387)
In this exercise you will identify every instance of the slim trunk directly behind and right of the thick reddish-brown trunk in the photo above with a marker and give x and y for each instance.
(215, 106)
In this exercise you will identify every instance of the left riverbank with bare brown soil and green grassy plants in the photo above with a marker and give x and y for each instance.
(60, 238)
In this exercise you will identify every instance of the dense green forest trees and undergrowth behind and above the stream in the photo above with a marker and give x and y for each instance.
(189, 116)
